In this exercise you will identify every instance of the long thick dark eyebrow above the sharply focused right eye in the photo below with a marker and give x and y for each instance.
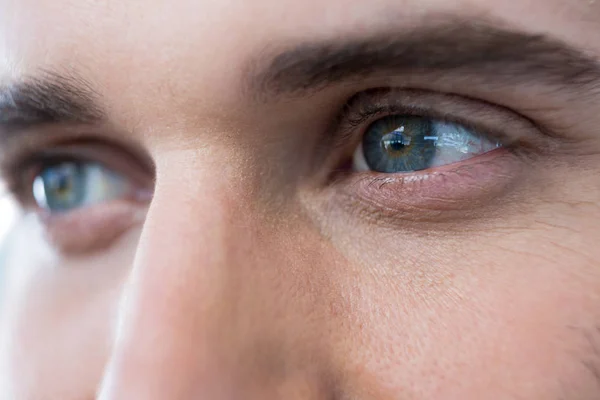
(451, 47)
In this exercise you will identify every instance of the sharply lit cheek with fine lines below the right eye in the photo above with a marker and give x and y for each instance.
(508, 319)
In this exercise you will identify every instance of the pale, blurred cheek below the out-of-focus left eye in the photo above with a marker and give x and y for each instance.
(58, 317)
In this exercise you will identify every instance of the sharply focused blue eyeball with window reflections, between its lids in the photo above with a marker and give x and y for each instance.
(405, 143)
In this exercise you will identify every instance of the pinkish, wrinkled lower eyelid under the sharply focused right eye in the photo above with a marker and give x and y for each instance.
(432, 194)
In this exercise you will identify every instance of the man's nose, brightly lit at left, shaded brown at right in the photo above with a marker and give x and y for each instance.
(231, 296)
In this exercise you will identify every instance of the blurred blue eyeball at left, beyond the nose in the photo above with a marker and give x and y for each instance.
(68, 185)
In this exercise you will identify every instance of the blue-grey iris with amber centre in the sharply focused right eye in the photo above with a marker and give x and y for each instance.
(400, 143)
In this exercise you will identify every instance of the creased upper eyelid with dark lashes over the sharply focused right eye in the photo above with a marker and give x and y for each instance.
(518, 135)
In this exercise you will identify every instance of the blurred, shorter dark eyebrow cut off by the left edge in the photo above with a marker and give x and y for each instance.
(49, 98)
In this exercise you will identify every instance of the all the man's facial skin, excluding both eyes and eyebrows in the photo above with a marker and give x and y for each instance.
(250, 276)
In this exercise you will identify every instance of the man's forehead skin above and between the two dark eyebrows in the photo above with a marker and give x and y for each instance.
(141, 48)
